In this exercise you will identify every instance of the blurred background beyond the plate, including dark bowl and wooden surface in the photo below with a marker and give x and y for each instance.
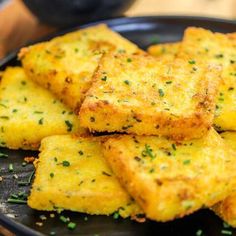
(22, 21)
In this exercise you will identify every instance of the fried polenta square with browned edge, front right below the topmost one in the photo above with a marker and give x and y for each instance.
(172, 179)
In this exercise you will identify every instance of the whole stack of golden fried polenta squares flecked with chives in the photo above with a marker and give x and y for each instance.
(159, 154)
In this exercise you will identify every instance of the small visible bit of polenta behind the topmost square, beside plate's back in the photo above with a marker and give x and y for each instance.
(165, 51)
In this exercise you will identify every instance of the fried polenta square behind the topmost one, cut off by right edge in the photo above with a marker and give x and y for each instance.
(203, 45)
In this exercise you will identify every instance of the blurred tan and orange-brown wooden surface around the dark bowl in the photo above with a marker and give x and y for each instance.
(18, 25)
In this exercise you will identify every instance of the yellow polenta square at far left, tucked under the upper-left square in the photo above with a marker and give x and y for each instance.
(29, 113)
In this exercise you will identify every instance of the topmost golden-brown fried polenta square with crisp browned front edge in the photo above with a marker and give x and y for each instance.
(141, 95)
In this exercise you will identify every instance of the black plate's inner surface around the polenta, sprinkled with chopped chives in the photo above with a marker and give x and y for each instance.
(143, 31)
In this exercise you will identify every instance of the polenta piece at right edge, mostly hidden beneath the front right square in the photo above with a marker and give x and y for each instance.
(227, 208)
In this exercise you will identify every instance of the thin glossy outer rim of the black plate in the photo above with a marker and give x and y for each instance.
(19, 228)
